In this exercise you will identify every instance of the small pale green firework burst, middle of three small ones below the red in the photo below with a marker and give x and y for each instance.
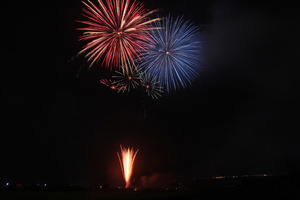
(128, 80)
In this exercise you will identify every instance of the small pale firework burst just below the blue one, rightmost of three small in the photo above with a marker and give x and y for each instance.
(151, 85)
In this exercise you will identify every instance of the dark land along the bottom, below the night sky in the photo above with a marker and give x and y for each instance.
(285, 188)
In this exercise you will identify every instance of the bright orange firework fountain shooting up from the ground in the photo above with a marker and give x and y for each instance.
(126, 161)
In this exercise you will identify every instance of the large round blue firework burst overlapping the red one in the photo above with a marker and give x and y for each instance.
(173, 53)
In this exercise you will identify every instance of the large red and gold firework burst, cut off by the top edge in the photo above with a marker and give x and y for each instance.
(115, 31)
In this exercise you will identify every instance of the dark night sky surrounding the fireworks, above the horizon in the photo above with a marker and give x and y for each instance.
(241, 116)
